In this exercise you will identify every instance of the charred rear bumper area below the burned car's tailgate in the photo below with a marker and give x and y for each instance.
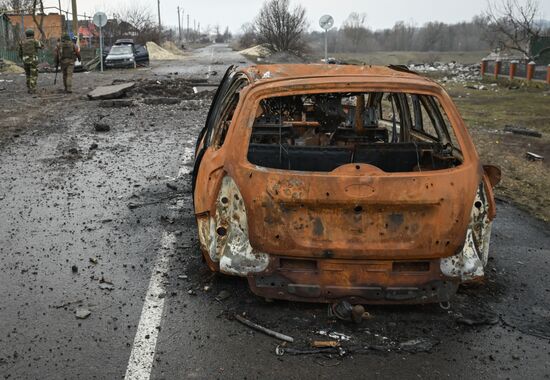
(358, 281)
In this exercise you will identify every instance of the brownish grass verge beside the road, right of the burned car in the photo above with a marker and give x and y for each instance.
(525, 183)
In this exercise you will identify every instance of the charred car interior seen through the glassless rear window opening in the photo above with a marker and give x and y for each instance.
(392, 131)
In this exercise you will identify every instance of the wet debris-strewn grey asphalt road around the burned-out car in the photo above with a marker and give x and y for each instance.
(110, 230)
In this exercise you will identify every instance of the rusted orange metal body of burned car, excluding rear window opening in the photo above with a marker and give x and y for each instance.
(356, 232)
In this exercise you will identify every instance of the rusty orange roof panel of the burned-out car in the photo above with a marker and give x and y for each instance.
(302, 71)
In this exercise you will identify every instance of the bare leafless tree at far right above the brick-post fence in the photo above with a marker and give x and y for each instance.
(512, 25)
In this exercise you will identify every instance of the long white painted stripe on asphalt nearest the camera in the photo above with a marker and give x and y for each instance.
(145, 341)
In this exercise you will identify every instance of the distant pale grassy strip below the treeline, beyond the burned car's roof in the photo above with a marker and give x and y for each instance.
(408, 57)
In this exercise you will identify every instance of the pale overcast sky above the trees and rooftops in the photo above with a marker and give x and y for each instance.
(233, 13)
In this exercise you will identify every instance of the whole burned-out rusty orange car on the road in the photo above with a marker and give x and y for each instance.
(328, 182)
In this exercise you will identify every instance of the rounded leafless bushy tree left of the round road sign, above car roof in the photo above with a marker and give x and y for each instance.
(280, 28)
